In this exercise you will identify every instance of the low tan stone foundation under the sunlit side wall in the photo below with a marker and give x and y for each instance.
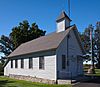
(33, 79)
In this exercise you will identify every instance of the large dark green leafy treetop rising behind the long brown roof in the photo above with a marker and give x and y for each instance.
(24, 32)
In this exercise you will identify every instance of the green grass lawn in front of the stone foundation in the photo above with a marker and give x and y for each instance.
(8, 82)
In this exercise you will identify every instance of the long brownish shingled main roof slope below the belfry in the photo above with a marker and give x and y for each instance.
(43, 43)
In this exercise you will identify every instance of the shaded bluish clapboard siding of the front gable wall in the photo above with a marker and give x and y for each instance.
(75, 65)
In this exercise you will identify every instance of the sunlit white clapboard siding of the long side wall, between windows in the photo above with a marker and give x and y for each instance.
(48, 73)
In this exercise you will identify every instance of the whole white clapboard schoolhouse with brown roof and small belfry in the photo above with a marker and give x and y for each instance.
(48, 58)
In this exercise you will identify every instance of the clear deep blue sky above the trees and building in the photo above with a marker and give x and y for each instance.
(45, 12)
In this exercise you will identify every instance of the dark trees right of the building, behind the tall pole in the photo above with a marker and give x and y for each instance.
(85, 37)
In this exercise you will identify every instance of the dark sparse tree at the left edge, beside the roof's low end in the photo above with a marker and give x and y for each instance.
(6, 47)
